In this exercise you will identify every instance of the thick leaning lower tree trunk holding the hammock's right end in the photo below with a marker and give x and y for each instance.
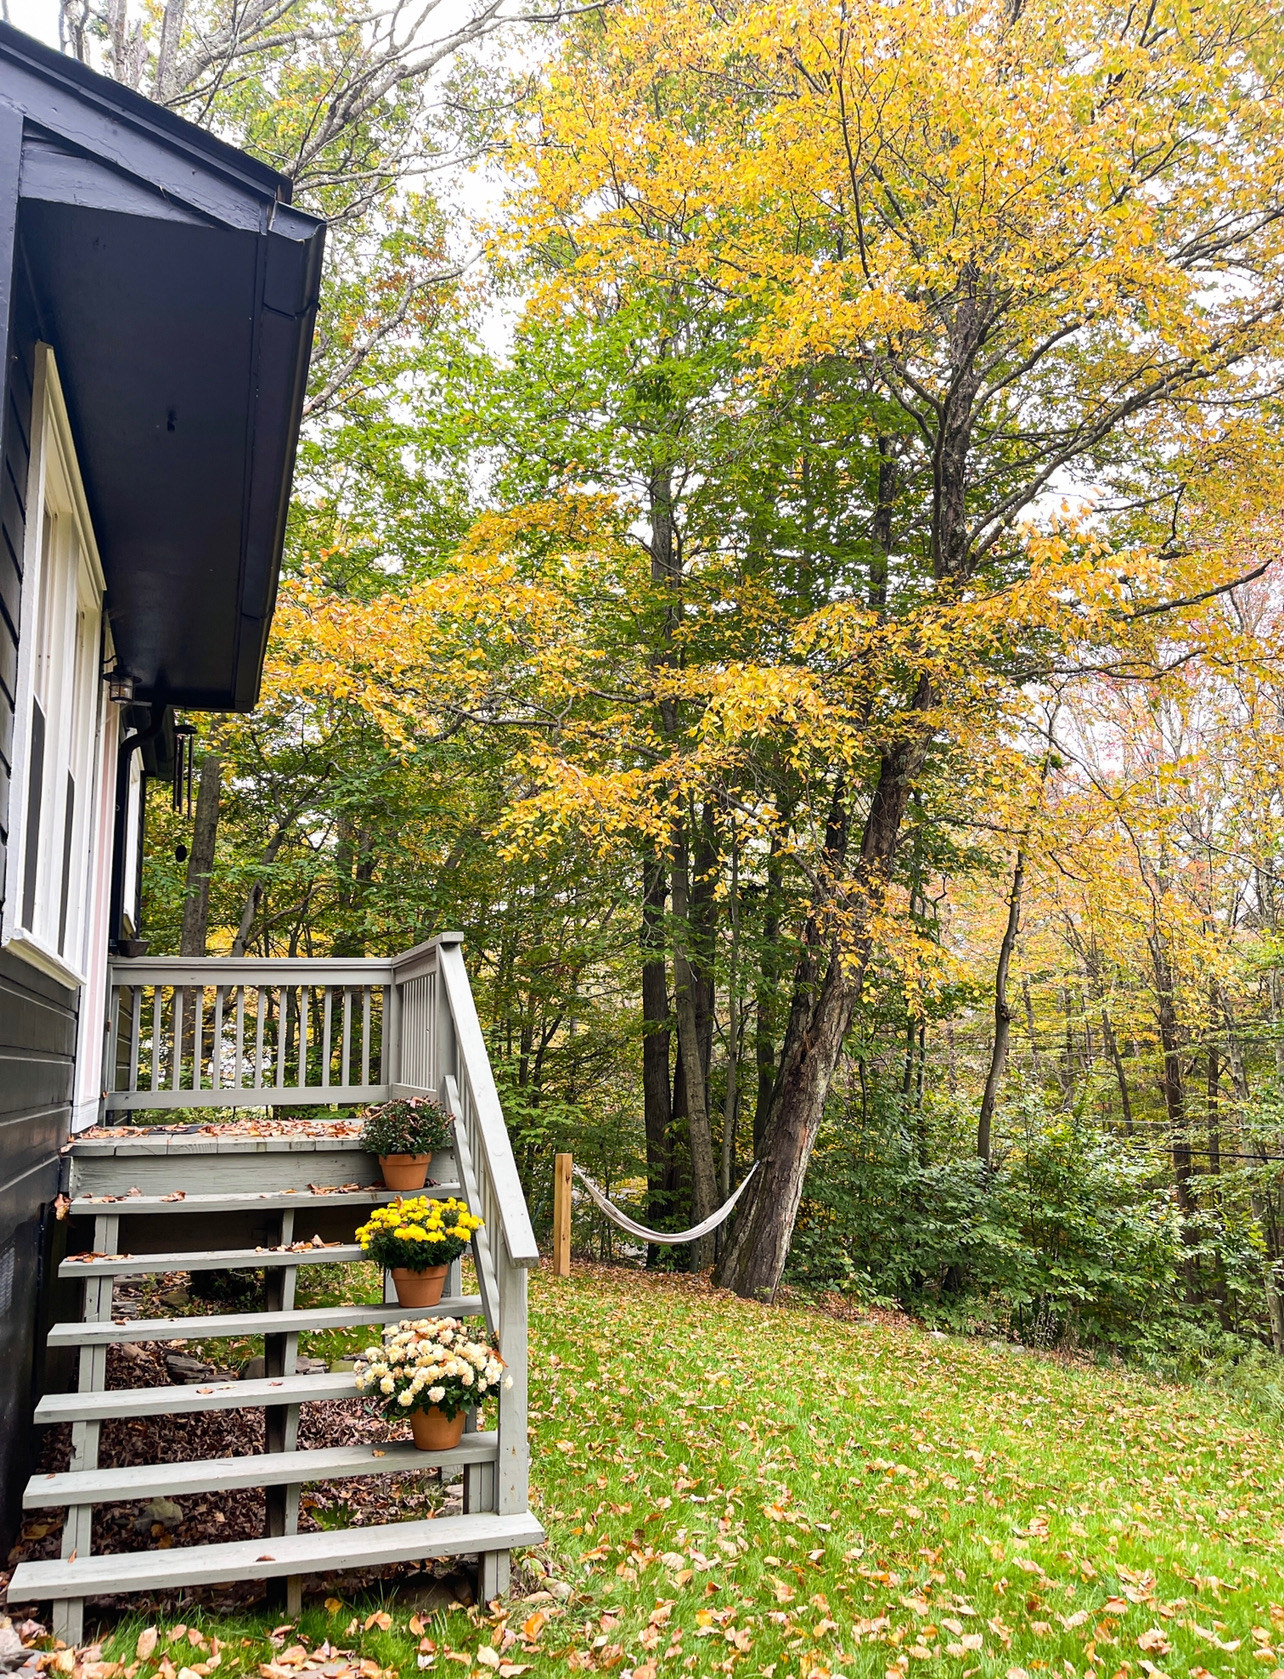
(827, 985)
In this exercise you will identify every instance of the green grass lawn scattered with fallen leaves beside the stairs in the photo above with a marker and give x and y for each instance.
(733, 1488)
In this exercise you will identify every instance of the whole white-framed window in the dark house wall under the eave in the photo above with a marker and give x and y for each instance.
(60, 704)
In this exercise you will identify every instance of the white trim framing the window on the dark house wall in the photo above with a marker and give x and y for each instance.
(51, 436)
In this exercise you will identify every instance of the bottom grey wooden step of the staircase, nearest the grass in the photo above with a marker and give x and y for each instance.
(293, 1554)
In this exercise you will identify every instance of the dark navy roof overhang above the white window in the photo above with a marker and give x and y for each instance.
(179, 290)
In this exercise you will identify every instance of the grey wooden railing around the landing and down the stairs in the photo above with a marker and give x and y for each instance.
(295, 1032)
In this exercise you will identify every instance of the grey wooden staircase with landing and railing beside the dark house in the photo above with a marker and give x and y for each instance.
(187, 1200)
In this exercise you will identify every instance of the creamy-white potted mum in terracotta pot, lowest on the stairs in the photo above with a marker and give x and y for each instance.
(431, 1373)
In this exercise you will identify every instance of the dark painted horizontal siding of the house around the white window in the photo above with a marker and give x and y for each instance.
(38, 1017)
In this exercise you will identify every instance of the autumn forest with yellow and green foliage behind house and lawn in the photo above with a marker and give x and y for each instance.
(785, 558)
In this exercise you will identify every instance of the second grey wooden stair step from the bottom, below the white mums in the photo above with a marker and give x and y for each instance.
(224, 1475)
